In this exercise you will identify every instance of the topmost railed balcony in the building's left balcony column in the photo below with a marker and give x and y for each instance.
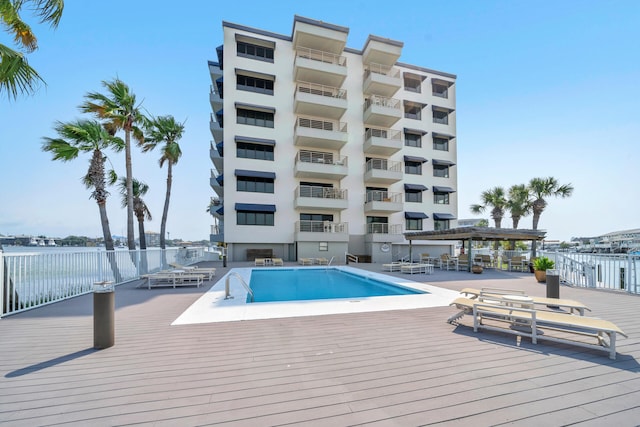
(320, 67)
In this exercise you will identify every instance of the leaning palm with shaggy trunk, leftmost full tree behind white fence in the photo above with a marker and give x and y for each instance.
(86, 136)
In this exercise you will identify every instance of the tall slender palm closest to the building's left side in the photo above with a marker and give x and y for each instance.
(166, 130)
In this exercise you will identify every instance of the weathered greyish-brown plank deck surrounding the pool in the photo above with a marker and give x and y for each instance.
(404, 368)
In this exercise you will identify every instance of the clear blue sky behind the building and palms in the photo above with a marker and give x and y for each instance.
(546, 88)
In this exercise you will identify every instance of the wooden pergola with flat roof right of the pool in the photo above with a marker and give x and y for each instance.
(469, 234)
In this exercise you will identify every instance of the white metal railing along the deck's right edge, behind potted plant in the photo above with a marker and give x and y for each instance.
(606, 271)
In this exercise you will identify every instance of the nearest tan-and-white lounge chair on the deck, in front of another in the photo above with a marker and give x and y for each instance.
(524, 321)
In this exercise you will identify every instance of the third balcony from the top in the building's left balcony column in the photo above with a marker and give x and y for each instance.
(320, 133)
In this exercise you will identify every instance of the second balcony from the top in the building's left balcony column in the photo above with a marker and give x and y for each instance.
(320, 100)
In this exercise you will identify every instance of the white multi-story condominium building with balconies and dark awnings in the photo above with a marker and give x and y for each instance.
(320, 149)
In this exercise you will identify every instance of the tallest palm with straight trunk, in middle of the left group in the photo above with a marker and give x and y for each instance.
(119, 110)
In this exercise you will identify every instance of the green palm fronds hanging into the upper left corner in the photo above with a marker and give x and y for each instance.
(16, 76)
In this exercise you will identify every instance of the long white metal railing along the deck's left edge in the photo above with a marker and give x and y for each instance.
(36, 278)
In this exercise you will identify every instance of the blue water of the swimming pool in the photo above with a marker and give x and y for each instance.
(318, 283)
